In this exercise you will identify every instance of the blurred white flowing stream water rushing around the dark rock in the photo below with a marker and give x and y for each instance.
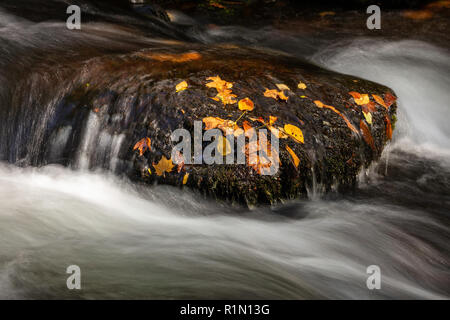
(132, 241)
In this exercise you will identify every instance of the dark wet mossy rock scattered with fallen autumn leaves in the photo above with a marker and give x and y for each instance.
(132, 96)
